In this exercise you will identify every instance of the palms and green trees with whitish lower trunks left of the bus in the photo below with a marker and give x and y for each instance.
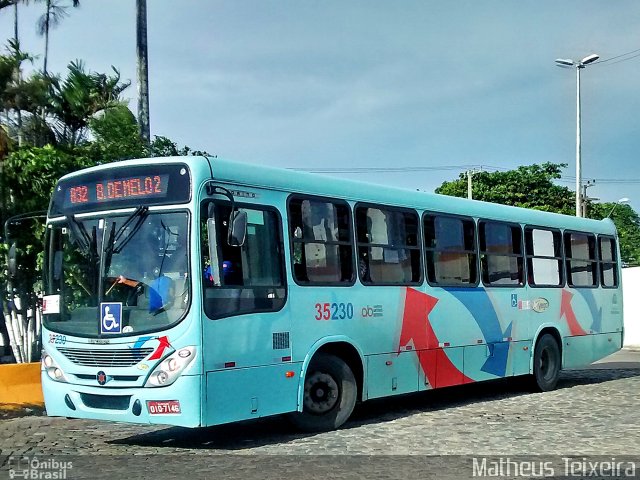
(51, 124)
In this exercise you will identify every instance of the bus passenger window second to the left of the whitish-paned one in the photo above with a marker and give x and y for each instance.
(451, 250)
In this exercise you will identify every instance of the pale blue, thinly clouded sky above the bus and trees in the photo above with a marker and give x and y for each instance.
(434, 86)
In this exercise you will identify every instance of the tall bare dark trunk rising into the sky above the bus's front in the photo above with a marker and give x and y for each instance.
(143, 70)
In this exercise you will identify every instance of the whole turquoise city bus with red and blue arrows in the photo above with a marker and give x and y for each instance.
(199, 291)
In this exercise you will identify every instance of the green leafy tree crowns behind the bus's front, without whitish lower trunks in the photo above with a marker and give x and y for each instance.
(51, 125)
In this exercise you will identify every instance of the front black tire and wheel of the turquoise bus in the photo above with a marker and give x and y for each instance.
(330, 393)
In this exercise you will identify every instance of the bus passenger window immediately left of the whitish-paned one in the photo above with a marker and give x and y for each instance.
(501, 254)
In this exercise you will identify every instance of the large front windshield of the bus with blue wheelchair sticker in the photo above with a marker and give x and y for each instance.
(139, 260)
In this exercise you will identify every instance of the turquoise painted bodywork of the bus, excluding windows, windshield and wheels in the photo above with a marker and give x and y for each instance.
(408, 338)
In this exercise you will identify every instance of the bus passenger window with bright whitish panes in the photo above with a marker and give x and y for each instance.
(544, 257)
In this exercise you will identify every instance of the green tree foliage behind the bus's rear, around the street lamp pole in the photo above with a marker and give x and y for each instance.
(531, 186)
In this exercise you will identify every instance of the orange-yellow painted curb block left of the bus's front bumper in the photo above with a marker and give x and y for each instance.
(20, 386)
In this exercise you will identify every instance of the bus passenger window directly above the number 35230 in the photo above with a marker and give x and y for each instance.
(322, 251)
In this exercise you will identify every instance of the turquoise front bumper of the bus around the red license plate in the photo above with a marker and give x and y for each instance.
(124, 404)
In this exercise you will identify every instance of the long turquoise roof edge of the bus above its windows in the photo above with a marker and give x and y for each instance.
(255, 175)
